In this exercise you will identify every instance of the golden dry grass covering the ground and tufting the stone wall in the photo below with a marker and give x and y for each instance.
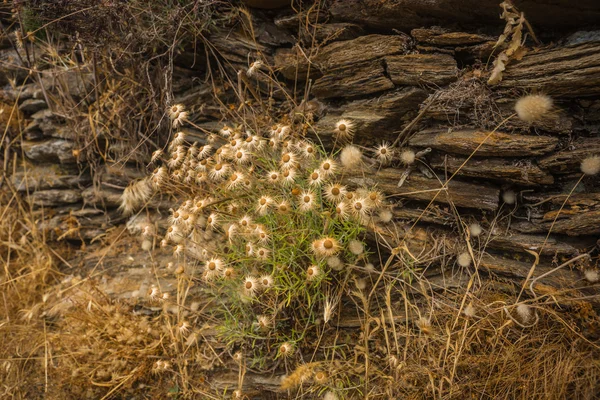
(395, 332)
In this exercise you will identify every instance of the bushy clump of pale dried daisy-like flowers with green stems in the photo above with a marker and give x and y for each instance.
(266, 226)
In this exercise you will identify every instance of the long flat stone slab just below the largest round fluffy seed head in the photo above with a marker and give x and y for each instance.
(496, 144)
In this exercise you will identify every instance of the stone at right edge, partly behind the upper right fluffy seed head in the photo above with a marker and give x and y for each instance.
(569, 160)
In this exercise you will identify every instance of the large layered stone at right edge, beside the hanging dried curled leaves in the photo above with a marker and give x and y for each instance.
(570, 71)
